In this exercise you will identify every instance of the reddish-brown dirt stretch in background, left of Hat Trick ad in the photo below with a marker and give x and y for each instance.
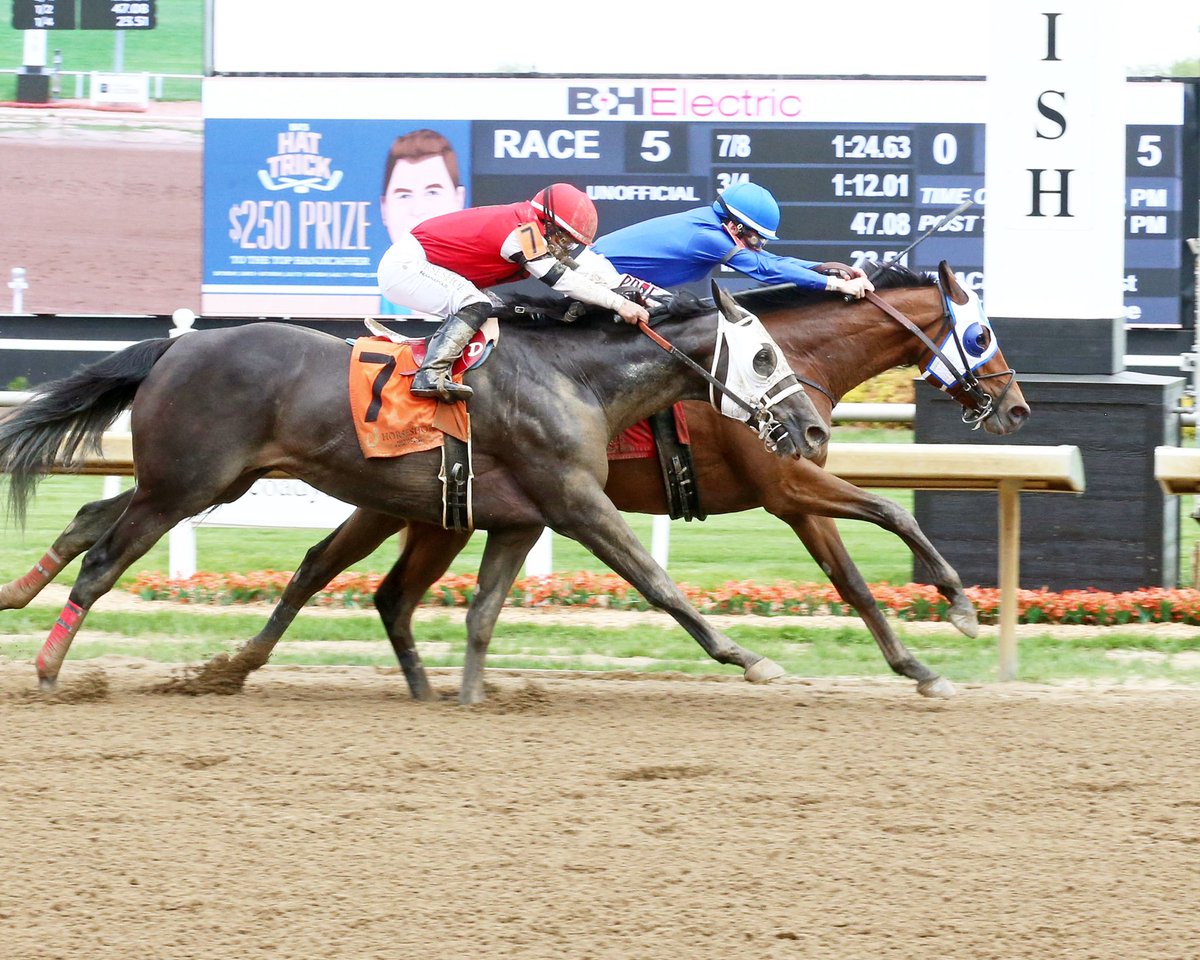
(104, 211)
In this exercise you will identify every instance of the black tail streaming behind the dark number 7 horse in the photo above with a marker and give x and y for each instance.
(68, 415)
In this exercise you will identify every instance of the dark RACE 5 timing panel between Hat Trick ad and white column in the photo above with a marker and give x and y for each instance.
(849, 193)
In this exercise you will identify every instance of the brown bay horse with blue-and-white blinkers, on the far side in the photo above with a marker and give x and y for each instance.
(835, 347)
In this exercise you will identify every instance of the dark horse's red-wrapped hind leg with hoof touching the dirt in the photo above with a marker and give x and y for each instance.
(137, 530)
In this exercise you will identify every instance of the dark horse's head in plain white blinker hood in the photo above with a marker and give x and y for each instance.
(759, 385)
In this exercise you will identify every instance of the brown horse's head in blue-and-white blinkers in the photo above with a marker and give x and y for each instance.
(965, 362)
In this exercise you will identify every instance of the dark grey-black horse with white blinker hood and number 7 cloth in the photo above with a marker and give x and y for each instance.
(215, 411)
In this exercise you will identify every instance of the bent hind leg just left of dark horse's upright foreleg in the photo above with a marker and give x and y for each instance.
(427, 556)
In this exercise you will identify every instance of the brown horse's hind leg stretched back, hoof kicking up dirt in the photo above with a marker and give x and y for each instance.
(357, 537)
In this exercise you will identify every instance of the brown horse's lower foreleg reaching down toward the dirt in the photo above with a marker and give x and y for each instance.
(825, 543)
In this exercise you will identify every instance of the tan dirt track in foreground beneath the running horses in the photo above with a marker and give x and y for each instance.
(325, 815)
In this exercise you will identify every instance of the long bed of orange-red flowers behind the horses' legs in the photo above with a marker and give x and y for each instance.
(910, 602)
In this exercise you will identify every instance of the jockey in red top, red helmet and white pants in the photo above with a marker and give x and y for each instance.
(441, 266)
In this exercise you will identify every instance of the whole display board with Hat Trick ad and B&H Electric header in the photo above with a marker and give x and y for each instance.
(295, 173)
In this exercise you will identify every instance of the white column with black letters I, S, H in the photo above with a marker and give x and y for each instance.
(1055, 161)
